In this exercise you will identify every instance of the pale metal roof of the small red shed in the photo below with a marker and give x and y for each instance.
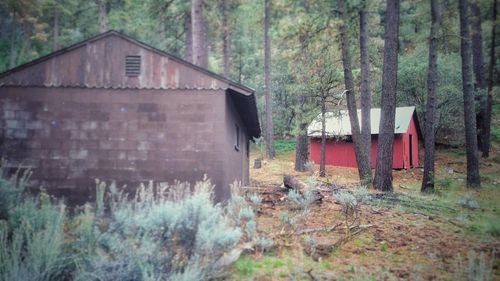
(338, 124)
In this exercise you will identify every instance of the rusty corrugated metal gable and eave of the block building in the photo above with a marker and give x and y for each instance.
(96, 63)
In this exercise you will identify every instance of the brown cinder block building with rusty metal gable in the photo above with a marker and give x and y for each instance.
(114, 108)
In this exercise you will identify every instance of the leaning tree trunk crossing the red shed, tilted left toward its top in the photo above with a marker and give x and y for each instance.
(364, 167)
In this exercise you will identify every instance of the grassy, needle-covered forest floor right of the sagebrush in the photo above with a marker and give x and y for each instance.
(453, 234)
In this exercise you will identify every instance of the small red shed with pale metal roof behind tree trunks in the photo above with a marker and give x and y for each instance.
(340, 148)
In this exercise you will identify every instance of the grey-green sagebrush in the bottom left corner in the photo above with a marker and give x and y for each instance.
(32, 242)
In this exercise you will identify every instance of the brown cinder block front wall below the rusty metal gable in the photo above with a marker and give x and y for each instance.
(70, 136)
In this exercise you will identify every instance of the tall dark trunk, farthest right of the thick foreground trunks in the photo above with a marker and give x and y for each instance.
(473, 180)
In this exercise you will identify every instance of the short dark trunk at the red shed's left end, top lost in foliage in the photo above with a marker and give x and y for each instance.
(302, 149)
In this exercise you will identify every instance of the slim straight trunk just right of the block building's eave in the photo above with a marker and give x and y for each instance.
(267, 69)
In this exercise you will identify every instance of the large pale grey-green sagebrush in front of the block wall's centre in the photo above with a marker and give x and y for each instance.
(175, 235)
